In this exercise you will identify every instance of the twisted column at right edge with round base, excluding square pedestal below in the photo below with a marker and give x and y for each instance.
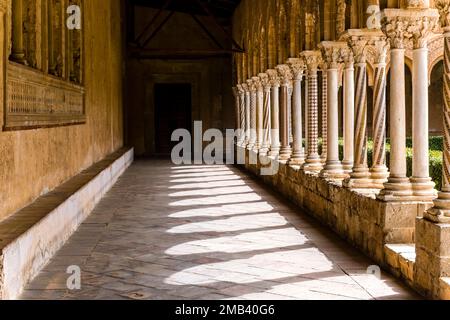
(440, 212)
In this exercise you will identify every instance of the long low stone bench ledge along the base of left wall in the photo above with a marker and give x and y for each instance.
(29, 238)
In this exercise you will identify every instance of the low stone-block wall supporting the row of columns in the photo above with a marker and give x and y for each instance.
(365, 222)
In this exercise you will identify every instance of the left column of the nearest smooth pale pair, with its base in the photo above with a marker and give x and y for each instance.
(398, 187)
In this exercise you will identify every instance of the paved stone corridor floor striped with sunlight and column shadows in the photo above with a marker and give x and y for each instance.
(206, 232)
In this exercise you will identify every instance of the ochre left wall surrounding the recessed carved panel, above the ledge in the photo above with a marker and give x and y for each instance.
(33, 162)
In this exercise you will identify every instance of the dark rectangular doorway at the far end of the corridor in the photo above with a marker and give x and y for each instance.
(173, 110)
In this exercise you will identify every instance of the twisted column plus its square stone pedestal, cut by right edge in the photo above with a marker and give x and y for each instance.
(433, 231)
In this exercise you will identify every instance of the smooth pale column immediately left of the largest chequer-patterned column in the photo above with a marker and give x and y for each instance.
(298, 154)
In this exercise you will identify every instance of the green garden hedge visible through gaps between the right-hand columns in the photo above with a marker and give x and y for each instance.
(436, 145)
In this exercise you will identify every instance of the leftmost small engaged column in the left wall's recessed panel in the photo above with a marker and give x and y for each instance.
(18, 48)
